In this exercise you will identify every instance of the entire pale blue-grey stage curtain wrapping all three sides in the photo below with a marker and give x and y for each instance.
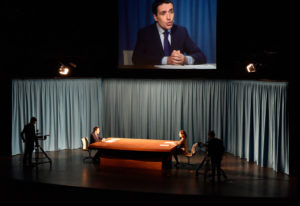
(250, 116)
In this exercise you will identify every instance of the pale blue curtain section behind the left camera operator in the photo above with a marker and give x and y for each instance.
(65, 109)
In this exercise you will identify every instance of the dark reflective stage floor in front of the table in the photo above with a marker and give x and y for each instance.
(74, 182)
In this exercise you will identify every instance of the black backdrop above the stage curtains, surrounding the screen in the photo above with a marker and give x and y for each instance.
(35, 37)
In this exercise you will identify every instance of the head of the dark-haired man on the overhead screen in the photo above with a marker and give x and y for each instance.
(165, 16)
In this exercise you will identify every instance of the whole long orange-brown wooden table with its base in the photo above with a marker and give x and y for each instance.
(126, 152)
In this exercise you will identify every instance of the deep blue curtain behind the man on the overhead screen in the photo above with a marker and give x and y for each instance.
(198, 16)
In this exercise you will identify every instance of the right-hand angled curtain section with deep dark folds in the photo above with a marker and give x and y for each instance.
(258, 123)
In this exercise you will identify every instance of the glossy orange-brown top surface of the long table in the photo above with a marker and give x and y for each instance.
(129, 144)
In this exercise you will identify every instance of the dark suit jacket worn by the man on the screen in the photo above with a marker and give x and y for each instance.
(149, 50)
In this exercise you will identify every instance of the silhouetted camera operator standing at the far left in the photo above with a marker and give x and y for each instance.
(28, 136)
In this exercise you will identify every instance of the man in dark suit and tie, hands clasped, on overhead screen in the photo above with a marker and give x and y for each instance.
(165, 43)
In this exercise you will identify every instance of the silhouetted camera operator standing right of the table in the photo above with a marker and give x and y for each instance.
(215, 150)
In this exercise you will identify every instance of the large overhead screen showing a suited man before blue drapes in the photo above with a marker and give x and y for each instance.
(194, 25)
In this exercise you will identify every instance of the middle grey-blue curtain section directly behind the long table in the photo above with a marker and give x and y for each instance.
(160, 108)
